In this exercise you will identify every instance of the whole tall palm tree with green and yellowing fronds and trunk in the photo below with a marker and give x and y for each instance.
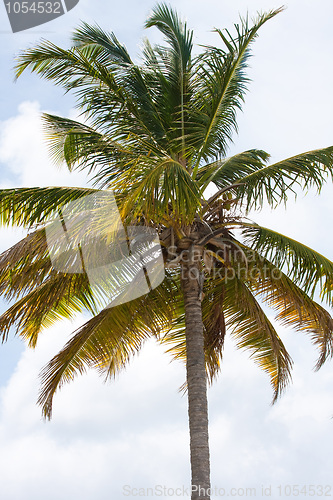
(156, 134)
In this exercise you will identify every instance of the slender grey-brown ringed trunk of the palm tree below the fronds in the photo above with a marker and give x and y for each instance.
(196, 382)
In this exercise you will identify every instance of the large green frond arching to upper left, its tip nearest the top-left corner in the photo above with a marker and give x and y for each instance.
(107, 93)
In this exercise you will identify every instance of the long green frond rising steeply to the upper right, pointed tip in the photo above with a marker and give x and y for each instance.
(222, 85)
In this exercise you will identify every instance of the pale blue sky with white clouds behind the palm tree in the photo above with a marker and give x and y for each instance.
(109, 440)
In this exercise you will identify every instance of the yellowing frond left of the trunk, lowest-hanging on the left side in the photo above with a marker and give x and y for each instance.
(108, 341)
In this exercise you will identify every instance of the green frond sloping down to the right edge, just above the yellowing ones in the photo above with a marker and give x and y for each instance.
(304, 266)
